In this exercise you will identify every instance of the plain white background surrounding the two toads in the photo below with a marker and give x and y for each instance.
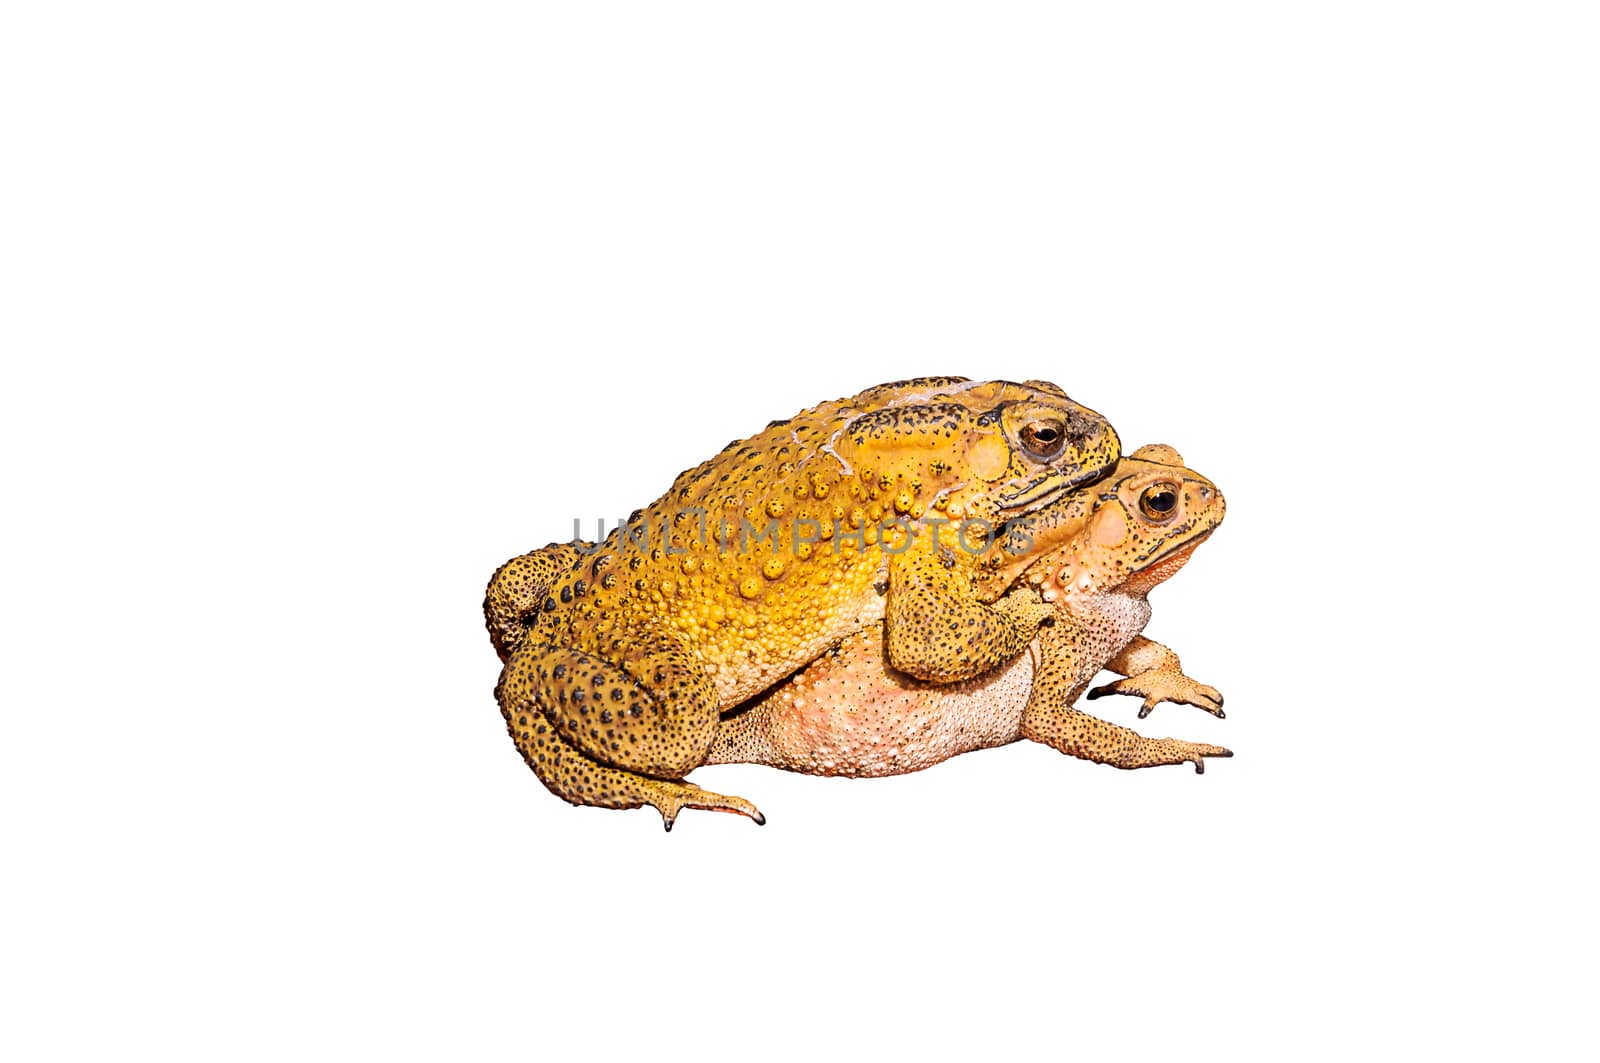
(316, 313)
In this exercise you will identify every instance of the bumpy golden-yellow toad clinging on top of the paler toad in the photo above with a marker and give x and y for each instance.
(622, 656)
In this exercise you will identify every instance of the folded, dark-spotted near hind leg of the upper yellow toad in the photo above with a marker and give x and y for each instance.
(596, 736)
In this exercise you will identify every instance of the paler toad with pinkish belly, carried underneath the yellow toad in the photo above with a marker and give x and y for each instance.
(849, 715)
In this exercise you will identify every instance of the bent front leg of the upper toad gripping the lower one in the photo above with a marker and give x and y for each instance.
(937, 628)
